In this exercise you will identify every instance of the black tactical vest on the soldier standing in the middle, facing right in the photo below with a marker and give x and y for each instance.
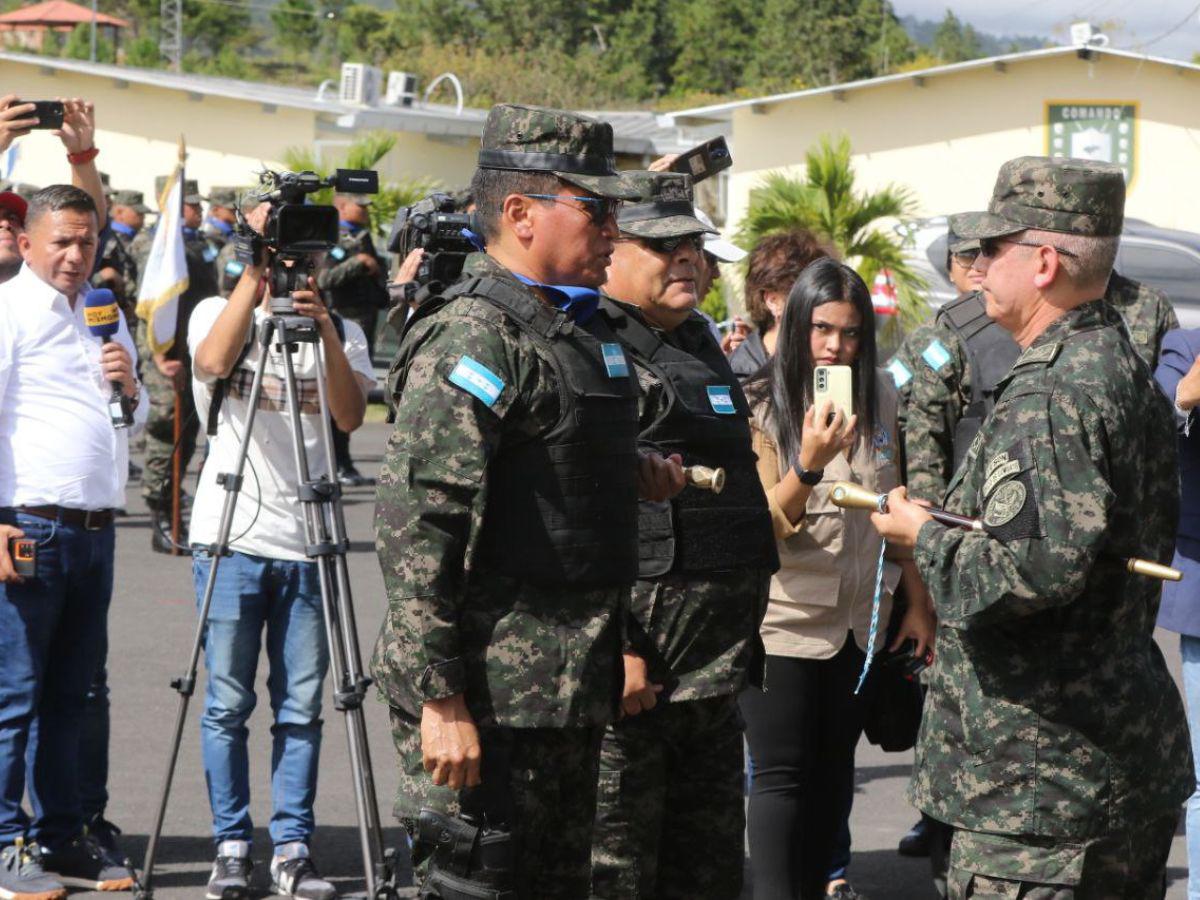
(707, 422)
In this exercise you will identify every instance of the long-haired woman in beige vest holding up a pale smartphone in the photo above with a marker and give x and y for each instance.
(803, 729)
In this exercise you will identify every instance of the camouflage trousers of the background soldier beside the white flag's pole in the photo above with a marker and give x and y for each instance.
(160, 431)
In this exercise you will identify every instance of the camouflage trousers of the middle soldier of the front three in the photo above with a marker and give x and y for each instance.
(670, 811)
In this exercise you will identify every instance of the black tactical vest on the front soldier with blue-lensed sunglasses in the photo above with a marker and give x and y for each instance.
(562, 507)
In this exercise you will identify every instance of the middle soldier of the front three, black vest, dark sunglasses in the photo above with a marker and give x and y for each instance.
(670, 811)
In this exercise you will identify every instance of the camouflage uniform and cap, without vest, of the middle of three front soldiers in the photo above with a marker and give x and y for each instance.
(670, 809)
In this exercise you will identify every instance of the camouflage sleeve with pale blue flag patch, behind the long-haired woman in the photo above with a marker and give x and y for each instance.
(935, 406)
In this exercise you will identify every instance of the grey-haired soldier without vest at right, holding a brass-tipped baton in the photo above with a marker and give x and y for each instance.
(1054, 739)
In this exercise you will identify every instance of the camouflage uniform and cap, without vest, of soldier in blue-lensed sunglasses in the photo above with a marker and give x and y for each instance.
(539, 667)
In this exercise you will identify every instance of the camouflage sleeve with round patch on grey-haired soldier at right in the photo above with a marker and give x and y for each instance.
(1043, 471)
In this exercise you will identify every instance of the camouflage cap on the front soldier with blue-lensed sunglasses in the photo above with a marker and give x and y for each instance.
(575, 148)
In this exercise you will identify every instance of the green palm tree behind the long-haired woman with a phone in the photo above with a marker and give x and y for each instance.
(826, 203)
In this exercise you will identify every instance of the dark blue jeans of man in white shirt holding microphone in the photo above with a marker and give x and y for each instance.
(53, 629)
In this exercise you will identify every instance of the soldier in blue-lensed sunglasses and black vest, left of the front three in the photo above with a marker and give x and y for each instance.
(507, 518)
